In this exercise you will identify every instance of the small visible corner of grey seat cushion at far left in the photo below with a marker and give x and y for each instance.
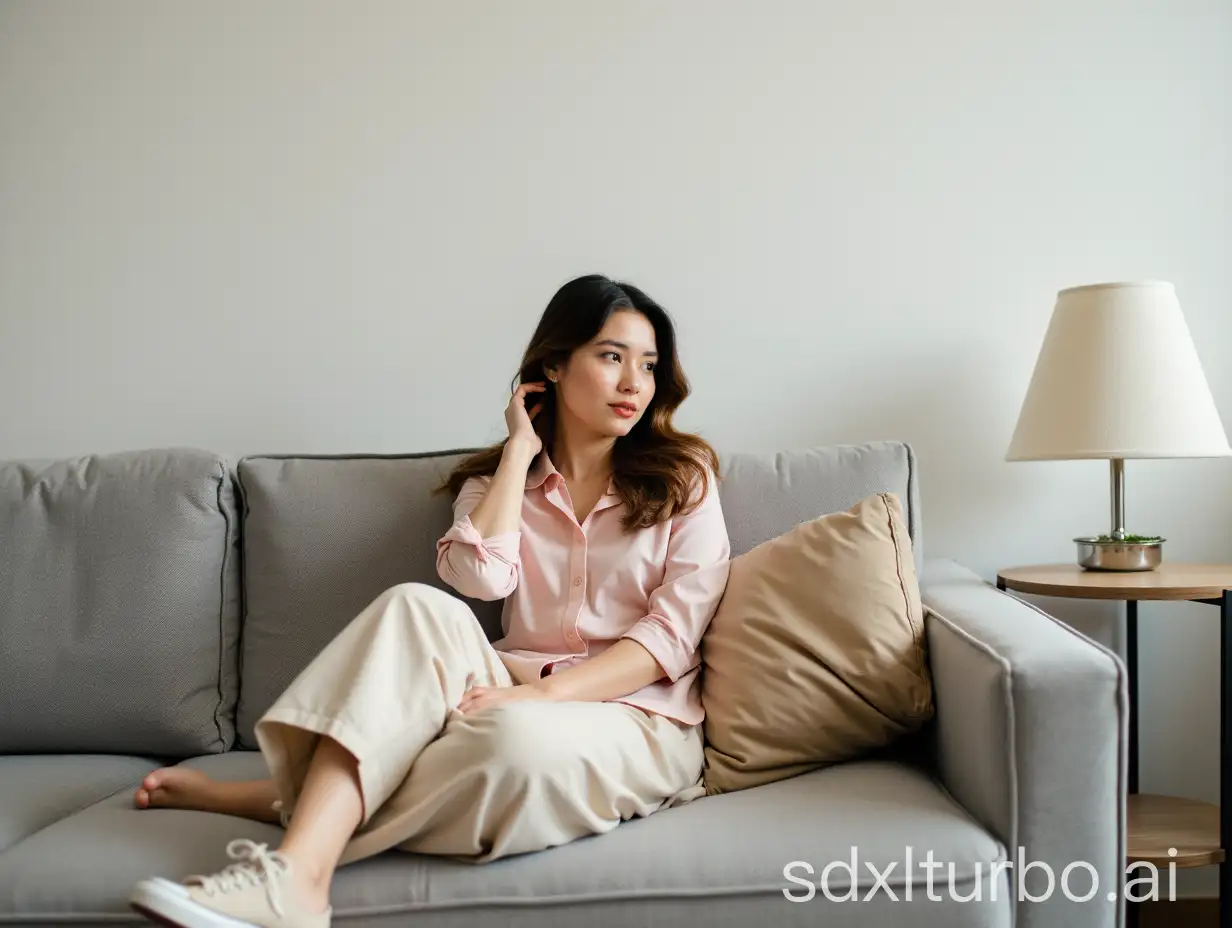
(38, 791)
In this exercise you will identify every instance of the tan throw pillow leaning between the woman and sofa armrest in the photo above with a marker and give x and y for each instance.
(816, 653)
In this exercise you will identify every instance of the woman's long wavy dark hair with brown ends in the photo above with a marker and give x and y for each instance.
(659, 473)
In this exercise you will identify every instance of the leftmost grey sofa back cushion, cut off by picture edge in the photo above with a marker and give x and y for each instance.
(119, 604)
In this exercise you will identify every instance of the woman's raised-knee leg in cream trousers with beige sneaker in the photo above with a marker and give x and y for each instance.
(338, 744)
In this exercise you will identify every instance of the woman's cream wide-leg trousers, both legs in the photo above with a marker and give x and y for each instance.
(522, 777)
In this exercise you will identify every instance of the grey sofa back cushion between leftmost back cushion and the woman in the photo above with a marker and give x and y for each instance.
(323, 537)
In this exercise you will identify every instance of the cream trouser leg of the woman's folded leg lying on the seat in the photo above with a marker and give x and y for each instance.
(530, 776)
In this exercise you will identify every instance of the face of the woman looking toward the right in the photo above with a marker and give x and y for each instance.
(609, 383)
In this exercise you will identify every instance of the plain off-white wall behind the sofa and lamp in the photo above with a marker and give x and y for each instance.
(331, 227)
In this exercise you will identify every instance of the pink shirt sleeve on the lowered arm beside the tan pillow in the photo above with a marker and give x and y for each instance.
(681, 609)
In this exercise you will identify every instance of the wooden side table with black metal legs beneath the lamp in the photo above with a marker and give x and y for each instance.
(1198, 831)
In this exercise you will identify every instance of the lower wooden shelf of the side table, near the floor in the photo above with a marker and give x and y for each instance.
(1160, 823)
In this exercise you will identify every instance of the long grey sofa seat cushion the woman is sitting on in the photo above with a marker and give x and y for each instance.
(719, 862)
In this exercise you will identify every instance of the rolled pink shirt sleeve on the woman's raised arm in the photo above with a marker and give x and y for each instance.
(475, 566)
